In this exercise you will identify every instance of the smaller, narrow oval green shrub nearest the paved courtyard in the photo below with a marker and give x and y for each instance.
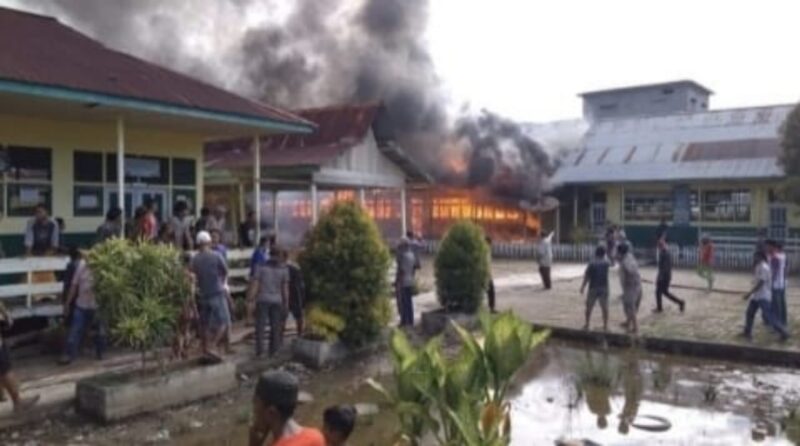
(462, 268)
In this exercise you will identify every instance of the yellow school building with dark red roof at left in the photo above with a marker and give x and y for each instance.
(82, 125)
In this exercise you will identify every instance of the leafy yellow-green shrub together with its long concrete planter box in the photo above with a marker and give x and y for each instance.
(140, 290)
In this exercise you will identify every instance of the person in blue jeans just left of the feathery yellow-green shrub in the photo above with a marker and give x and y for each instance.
(84, 315)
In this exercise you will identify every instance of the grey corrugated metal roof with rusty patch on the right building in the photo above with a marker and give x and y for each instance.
(720, 144)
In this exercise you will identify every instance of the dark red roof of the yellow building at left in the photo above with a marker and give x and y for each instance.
(40, 50)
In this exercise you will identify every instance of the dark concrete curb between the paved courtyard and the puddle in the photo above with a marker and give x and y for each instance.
(699, 349)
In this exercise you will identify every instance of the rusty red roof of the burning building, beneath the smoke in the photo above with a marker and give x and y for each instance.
(338, 129)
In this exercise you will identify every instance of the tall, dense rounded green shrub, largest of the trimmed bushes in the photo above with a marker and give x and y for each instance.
(345, 265)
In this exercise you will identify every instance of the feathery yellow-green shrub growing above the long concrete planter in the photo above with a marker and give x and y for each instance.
(140, 289)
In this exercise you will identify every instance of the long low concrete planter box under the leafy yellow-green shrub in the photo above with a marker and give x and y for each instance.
(115, 396)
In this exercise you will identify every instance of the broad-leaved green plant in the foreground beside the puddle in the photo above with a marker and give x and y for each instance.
(460, 399)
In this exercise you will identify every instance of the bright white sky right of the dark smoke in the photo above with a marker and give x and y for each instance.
(529, 59)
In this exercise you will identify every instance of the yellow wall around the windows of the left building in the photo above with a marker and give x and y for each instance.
(64, 137)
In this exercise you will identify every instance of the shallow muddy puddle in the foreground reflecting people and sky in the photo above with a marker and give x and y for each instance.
(705, 403)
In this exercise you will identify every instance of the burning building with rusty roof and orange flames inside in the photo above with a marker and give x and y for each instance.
(353, 156)
